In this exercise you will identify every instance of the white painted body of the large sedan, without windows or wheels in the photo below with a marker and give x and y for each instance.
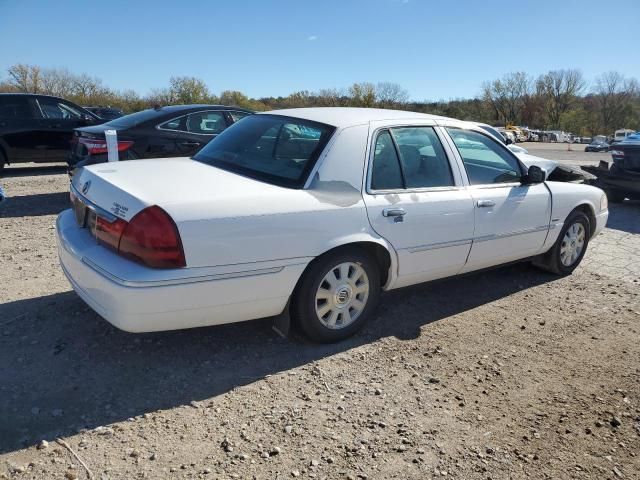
(247, 242)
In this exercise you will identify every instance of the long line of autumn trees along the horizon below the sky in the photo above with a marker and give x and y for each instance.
(558, 99)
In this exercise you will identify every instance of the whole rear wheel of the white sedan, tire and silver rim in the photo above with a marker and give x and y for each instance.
(337, 295)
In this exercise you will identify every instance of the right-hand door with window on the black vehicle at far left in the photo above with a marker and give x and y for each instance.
(60, 118)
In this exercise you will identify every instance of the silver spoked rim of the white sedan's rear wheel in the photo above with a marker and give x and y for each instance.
(342, 295)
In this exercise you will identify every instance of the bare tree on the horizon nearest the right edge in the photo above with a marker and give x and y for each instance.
(615, 94)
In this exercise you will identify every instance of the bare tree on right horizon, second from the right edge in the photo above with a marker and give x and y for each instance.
(560, 89)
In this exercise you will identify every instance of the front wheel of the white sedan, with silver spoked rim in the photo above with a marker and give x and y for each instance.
(570, 247)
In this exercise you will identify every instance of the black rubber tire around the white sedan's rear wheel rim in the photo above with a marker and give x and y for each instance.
(304, 303)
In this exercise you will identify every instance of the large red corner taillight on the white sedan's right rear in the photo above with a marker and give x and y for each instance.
(152, 238)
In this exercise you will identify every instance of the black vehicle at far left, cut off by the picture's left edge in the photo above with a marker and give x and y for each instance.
(38, 128)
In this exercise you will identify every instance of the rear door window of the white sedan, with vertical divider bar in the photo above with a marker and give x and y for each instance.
(409, 158)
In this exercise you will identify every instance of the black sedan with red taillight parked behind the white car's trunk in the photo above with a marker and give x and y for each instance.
(174, 131)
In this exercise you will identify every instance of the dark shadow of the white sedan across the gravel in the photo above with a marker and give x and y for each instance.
(64, 368)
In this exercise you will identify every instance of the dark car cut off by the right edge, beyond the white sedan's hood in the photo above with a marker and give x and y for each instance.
(621, 178)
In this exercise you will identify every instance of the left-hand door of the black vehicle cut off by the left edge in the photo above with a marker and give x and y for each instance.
(20, 125)
